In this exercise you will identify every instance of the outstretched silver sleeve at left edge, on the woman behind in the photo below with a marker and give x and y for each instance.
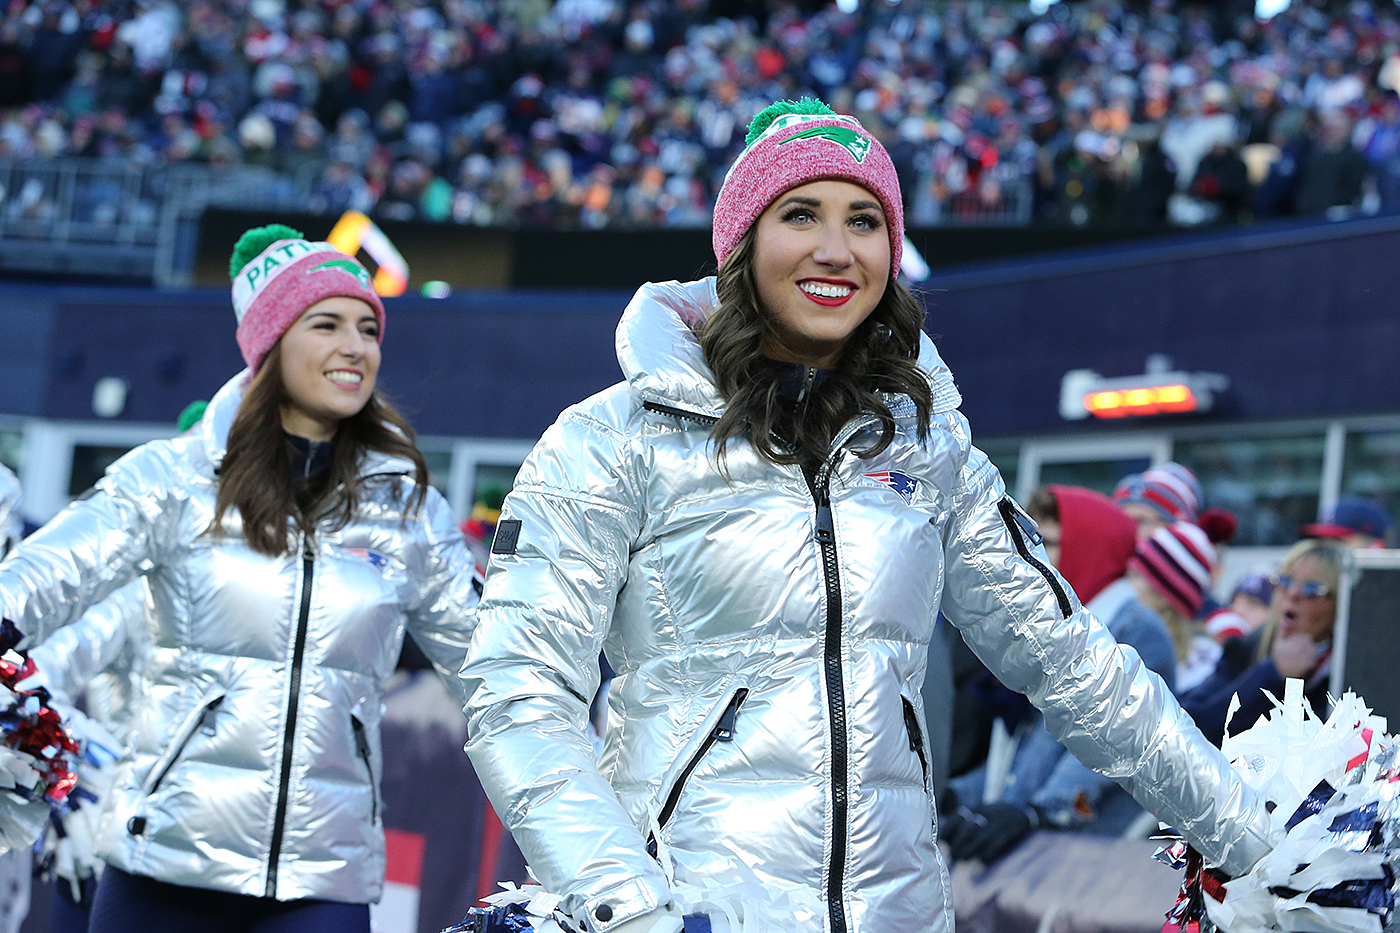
(96, 546)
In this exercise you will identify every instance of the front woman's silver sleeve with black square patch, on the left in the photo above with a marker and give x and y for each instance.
(559, 561)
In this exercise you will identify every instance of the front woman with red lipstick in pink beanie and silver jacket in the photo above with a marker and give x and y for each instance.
(761, 526)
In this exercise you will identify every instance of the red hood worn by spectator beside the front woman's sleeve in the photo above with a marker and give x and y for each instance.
(1095, 540)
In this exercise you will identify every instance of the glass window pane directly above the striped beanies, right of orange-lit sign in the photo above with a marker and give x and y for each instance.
(1272, 484)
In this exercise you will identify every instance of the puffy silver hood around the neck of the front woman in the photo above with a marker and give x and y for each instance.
(660, 352)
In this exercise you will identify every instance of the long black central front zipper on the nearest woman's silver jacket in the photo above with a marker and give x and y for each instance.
(835, 701)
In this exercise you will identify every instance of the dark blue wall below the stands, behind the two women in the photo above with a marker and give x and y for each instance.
(1301, 319)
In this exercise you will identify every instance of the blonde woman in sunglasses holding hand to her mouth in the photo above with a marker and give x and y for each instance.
(1294, 642)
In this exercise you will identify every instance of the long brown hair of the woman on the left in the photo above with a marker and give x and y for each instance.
(257, 474)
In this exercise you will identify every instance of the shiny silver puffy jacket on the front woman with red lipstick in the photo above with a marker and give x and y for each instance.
(771, 641)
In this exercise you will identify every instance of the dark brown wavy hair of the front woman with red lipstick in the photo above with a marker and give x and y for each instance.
(880, 358)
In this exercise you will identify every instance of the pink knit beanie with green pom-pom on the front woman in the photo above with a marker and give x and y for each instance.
(792, 144)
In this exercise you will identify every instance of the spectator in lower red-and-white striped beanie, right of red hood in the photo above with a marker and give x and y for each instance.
(1171, 572)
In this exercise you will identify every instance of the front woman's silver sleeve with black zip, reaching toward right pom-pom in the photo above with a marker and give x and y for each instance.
(1100, 700)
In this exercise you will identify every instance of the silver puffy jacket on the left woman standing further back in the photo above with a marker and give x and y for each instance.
(255, 760)
